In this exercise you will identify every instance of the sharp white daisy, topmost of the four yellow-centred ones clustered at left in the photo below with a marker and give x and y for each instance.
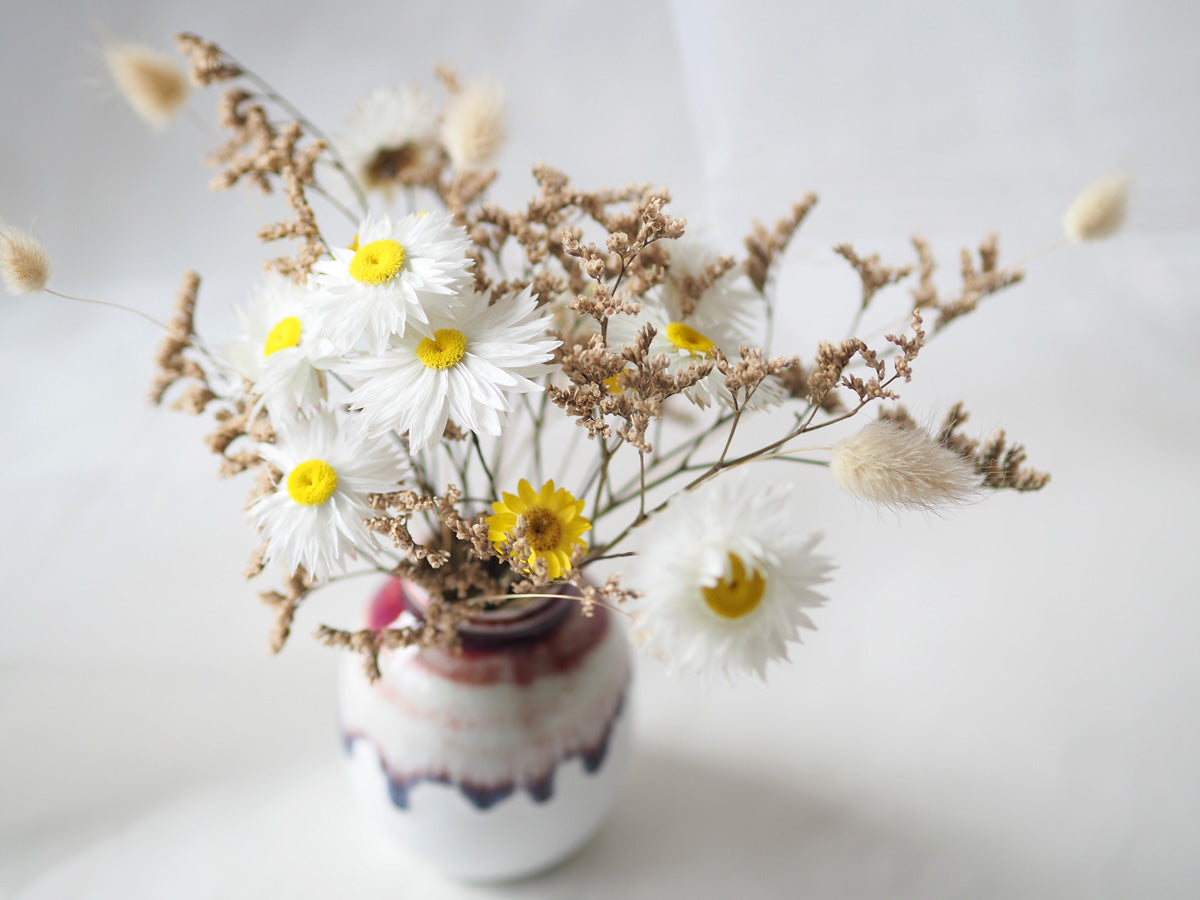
(392, 273)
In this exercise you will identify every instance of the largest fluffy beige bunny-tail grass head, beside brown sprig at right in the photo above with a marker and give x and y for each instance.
(902, 466)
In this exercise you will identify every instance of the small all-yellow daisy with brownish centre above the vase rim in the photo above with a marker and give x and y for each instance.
(554, 525)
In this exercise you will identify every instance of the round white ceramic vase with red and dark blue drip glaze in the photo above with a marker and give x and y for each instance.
(500, 761)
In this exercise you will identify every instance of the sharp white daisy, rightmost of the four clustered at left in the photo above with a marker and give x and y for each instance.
(470, 370)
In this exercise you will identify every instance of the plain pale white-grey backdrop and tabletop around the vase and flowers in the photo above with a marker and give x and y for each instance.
(1000, 701)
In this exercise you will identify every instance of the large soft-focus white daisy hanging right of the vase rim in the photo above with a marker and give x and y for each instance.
(725, 578)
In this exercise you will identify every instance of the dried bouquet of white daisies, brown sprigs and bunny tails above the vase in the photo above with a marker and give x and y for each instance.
(401, 381)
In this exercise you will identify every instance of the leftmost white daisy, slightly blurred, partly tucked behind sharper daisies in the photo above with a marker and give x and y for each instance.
(280, 349)
